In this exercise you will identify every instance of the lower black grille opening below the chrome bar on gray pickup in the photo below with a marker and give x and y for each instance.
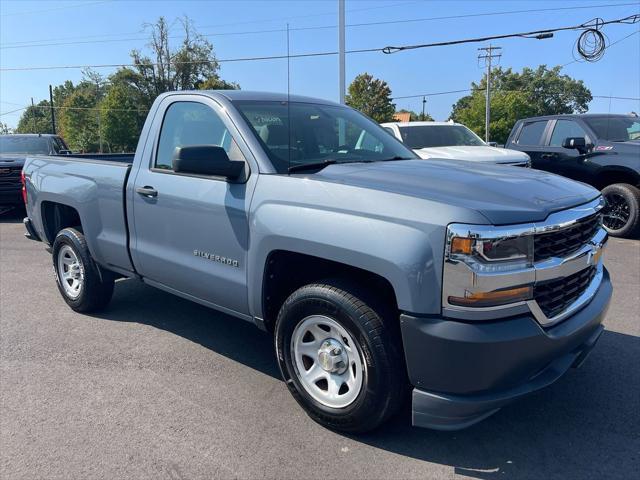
(555, 296)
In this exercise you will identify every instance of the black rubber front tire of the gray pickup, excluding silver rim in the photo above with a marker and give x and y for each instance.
(376, 334)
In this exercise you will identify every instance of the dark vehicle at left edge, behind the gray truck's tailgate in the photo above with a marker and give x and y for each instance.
(13, 151)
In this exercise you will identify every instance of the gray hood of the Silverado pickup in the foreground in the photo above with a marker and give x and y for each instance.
(503, 195)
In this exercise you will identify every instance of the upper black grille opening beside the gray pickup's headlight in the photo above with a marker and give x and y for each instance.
(562, 243)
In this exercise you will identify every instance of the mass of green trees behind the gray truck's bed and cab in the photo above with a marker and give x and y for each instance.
(111, 111)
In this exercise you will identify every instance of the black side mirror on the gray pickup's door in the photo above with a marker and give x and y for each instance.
(206, 160)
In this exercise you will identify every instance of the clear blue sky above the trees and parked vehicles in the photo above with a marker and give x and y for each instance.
(105, 31)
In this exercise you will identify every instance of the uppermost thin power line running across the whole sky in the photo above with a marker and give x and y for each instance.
(55, 42)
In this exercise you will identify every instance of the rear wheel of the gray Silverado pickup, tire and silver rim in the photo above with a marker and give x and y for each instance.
(82, 284)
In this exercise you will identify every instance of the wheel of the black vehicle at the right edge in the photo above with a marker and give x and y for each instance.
(623, 201)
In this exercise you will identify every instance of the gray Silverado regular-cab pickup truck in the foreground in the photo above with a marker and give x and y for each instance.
(383, 277)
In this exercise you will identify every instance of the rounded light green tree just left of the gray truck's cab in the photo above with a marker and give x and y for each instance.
(121, 118)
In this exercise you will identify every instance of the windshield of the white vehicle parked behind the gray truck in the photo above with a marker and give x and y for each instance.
(426, 136)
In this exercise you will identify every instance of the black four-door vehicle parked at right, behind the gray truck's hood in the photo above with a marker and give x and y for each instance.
(601, 150)
